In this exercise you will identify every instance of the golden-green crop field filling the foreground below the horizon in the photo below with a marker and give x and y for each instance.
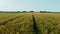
(29, 23)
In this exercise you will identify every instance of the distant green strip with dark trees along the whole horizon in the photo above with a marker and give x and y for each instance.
(27, 12)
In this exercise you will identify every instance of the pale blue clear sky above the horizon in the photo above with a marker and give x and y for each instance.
(30, 5)
